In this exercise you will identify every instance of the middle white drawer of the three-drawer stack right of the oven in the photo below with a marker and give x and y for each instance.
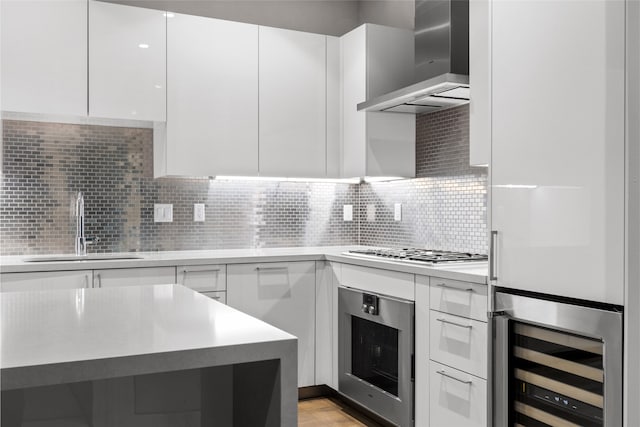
(458, 342)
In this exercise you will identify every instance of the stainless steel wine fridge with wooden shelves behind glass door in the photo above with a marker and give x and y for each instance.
(556, 363)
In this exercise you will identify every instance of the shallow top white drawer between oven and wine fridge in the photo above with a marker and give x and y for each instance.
(459, 298)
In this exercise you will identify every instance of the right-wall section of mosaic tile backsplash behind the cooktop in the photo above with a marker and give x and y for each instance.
(445, 207)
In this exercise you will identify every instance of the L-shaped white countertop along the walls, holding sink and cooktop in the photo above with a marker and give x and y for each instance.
(472, 272)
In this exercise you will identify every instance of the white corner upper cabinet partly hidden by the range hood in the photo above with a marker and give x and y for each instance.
(375, 60)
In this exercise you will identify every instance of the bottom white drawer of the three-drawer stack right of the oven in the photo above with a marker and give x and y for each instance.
(456, 398)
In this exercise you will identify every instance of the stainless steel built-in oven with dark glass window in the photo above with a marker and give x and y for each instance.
(376, 353)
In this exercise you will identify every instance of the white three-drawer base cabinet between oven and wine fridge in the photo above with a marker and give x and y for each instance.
(450, 353)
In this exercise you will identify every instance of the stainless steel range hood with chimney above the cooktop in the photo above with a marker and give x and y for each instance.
(441, 61)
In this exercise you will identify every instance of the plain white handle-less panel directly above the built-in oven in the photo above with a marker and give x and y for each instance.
(386, 282)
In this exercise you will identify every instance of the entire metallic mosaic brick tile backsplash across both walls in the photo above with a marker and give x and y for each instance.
(44, 164)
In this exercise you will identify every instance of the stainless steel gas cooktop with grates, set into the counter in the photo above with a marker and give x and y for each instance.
(426, 256)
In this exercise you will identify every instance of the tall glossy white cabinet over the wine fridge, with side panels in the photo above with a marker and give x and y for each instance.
(562, 133)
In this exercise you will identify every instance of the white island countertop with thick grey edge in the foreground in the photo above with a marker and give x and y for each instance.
(58, 336)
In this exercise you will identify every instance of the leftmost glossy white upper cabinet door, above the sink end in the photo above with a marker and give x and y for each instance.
(44, 56)
